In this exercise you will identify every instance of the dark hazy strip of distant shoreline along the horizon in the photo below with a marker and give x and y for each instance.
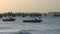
(30, 14)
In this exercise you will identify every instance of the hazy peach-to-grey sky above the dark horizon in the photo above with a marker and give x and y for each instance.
(29, 5)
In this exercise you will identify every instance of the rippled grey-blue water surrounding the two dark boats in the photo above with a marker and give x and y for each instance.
(49, 25)
